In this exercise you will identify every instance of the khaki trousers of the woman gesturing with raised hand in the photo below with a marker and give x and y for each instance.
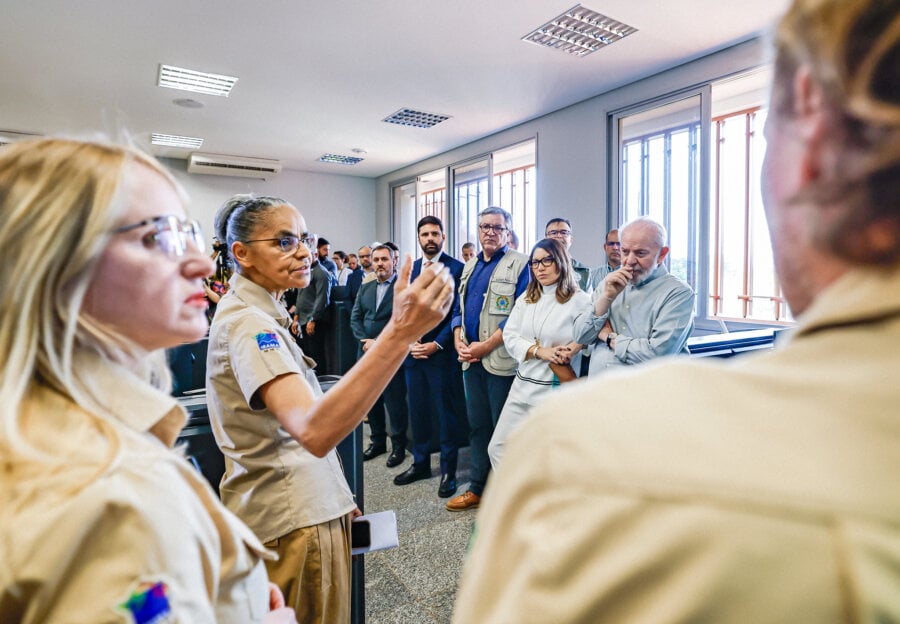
(313, 571)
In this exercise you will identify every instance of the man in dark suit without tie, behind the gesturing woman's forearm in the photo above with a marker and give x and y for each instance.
(371, 313)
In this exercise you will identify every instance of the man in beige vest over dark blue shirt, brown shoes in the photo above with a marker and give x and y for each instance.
(489, 286)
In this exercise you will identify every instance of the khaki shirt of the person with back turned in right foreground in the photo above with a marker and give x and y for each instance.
(760, 489)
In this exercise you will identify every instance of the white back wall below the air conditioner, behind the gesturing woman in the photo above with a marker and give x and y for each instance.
(339, 208)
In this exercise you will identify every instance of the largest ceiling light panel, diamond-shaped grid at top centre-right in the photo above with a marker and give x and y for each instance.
(579, 31)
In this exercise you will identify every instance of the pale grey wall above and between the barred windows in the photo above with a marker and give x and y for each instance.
(572, 149)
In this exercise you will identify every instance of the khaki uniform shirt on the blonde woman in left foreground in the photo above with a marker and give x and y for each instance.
(95, 541)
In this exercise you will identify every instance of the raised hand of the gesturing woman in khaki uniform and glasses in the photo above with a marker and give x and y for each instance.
(421, 305)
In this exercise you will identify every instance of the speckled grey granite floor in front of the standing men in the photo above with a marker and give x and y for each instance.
(416, 582)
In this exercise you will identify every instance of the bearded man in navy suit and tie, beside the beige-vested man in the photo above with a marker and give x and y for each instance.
(434, 378)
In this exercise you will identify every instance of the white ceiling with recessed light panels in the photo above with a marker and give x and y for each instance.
(318, 77)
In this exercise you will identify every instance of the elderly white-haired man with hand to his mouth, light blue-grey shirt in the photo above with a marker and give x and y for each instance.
(641, 311)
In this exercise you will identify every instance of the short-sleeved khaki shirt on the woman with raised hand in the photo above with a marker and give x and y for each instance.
(271, 482)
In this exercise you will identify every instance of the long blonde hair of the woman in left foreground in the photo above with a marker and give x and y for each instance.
(59, 201)
